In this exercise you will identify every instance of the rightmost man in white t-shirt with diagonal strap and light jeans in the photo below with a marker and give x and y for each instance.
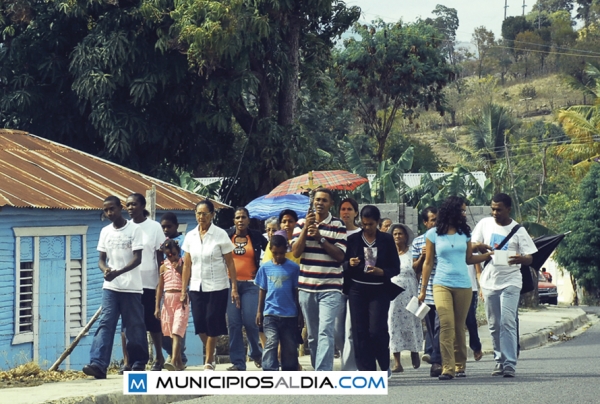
(501, 284)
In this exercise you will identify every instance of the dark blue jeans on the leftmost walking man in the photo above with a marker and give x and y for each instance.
(129, 307)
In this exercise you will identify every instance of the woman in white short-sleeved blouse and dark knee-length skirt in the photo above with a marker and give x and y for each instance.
(206, 263)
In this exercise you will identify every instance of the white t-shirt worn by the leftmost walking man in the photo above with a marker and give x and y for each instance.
(119, 245)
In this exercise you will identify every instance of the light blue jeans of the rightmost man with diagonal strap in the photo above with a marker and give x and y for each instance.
(501, 310)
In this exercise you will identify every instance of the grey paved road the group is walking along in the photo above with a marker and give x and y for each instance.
(562, 372)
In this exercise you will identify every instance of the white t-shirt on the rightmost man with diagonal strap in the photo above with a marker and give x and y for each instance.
(491, 233)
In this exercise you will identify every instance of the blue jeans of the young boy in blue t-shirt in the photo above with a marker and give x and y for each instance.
(280, 330)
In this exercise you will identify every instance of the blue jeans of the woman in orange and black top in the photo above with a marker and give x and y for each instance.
(244, 316)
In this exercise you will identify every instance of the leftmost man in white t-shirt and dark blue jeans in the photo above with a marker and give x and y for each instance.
(120, 246)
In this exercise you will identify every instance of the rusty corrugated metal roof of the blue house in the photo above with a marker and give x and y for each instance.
(38, 173)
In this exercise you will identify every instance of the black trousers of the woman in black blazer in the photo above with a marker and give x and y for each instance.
(369, 306)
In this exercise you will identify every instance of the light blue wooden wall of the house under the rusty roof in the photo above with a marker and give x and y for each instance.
(51, 288)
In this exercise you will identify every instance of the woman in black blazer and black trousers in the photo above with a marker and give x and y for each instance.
(371, 261)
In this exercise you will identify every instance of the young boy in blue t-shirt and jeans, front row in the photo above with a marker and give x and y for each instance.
(278, 307)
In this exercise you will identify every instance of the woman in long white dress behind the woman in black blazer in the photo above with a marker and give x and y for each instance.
(406, 332)
